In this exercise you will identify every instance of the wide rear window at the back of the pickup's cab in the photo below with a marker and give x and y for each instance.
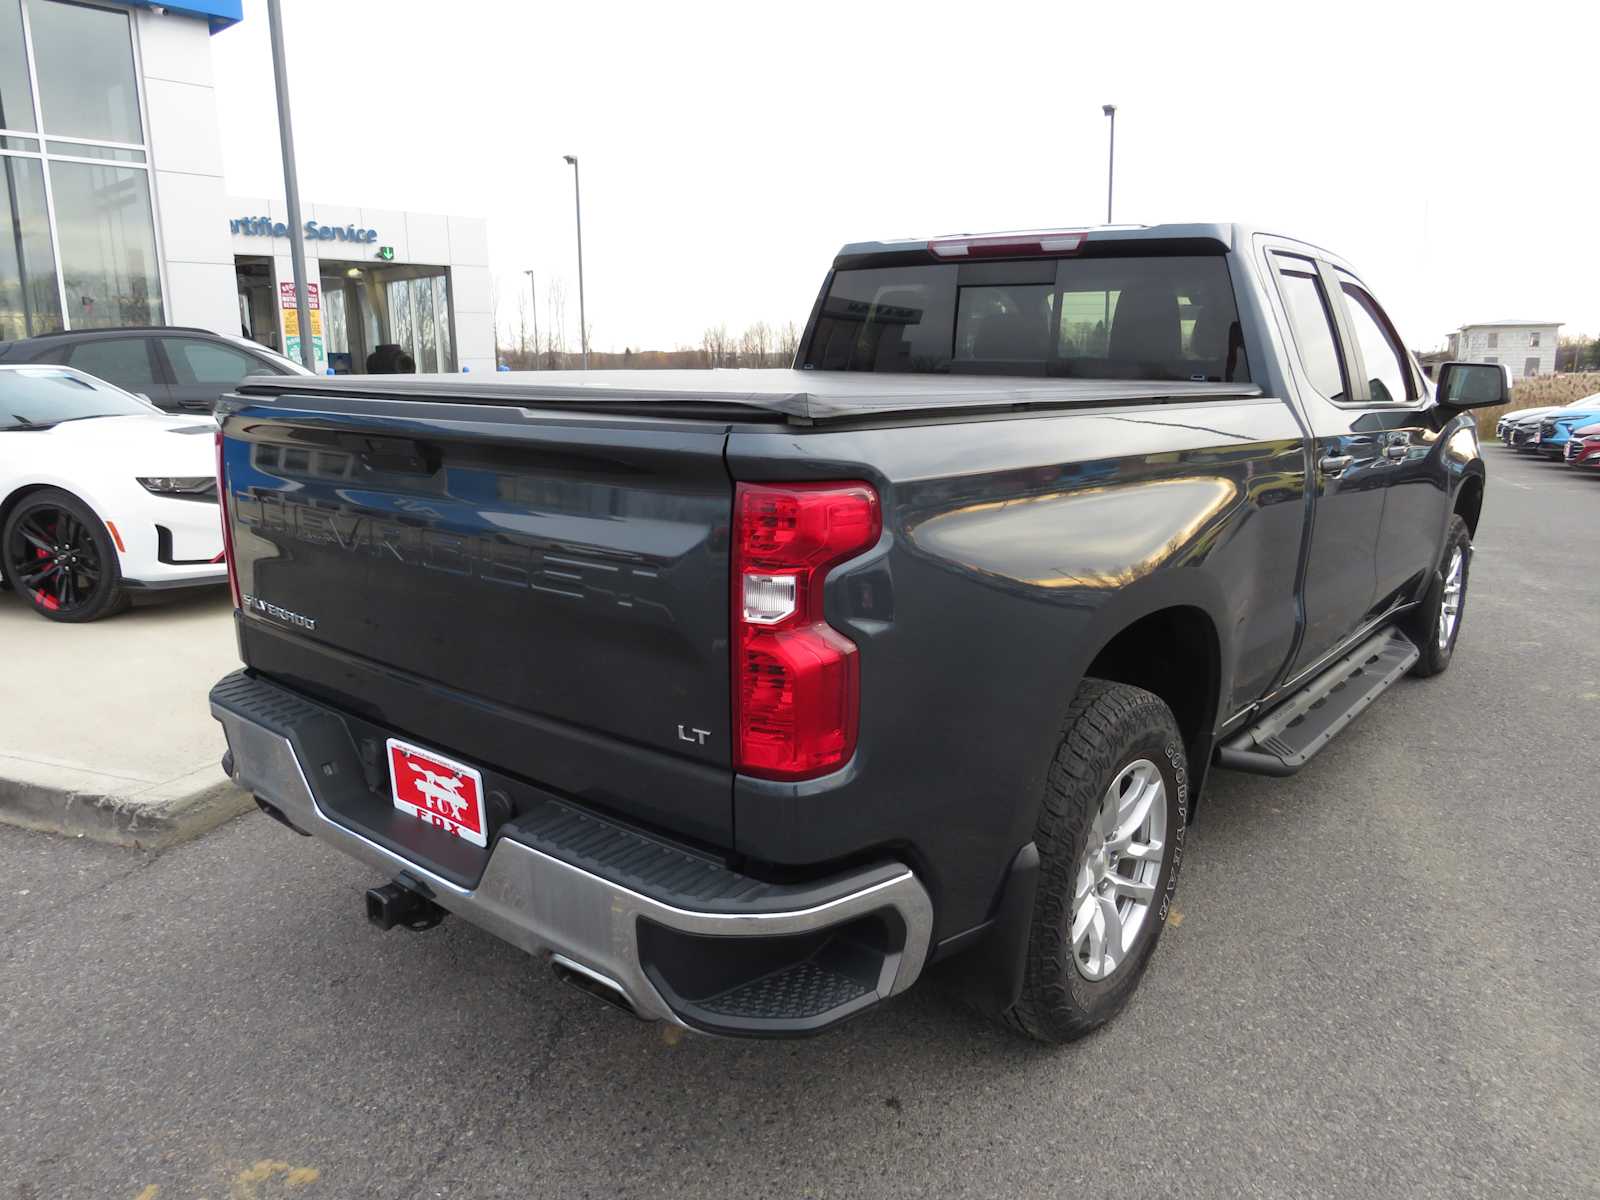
(1154, 318)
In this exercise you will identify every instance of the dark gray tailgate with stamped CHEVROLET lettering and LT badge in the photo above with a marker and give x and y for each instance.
(534, 593)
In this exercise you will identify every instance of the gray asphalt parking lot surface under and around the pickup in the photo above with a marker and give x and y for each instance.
(1382, 980)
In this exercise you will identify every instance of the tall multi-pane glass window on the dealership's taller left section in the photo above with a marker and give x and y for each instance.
(78, 231)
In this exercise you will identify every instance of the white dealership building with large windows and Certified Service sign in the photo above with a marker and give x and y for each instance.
(114, 210)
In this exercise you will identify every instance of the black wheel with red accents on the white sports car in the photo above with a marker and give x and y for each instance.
(60, 558)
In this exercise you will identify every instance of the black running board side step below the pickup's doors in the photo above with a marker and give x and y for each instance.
(1287, 738)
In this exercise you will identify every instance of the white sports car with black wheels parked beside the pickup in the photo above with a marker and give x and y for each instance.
(102, 495)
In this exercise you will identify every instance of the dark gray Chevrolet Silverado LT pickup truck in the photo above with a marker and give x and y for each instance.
(746, 698)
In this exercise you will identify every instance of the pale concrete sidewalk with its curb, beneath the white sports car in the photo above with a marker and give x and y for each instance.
(105, 729)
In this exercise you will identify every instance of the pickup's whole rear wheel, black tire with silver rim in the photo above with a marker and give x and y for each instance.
(1111, 834)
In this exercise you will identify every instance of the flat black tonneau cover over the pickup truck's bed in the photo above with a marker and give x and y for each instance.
(801, 398)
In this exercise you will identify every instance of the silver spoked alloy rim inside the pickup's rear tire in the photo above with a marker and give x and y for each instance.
(1116, 881)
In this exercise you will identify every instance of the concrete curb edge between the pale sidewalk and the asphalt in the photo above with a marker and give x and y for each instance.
(150, 820)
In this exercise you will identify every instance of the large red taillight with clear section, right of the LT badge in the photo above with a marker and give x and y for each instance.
(796, 681)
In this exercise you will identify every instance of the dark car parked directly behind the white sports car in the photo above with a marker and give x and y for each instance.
(177, 369)
